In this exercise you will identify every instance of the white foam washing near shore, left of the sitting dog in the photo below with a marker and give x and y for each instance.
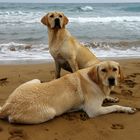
(17, 51)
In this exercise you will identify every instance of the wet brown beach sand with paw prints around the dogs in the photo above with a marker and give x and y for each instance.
(74, 126)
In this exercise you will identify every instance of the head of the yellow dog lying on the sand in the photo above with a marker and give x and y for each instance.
(106, 73)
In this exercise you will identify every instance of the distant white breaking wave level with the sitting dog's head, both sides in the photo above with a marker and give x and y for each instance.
(35, 19)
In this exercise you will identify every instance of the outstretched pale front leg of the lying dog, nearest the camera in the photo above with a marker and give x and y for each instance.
(110, 109)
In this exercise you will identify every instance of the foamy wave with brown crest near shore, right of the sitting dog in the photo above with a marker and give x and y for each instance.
(115, 49)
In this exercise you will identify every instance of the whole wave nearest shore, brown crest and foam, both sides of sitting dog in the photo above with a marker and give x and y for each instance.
(19, 51)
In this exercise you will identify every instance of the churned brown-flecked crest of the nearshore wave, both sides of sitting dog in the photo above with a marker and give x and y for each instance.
(101, 45)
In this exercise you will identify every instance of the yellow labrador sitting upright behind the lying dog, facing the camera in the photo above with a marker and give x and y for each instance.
(67, 52)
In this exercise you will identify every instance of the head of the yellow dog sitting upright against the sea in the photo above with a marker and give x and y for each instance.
(55, 20)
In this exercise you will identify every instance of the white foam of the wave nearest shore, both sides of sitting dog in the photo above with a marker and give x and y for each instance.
(19, 52)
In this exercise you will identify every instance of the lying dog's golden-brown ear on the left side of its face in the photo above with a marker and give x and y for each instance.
(93, 74)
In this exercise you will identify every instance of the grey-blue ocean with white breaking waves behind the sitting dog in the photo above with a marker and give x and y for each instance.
(109, 30)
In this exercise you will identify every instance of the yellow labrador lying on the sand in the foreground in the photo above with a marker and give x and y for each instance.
(34, 102)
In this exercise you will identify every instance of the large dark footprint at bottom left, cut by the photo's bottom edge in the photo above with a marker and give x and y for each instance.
(17, 134)
